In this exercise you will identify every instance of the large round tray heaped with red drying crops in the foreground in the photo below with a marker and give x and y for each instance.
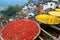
(21, 30)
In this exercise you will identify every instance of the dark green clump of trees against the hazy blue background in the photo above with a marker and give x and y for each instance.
(11, 10)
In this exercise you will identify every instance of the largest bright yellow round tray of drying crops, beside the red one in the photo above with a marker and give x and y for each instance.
(47, 19)
